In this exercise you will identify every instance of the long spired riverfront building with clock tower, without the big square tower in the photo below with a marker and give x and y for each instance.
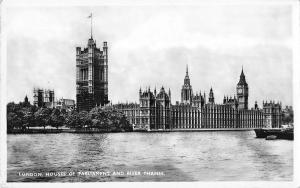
(198, 111)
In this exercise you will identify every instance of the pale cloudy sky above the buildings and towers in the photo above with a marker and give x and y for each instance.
(151, 46)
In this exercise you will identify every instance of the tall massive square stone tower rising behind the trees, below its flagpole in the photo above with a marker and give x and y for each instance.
(91, 76)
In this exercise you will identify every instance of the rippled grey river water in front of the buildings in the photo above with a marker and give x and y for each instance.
(177, 156)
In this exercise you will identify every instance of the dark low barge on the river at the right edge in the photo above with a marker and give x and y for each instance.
(280, 133)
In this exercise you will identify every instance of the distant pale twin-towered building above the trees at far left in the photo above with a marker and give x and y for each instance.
(43, 98)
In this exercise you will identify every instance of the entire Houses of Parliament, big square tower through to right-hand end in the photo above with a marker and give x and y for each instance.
(155, 110)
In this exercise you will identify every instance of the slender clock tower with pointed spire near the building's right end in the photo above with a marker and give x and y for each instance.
(242, 92)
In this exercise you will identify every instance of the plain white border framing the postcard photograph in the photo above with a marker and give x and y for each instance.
(221, 184)
